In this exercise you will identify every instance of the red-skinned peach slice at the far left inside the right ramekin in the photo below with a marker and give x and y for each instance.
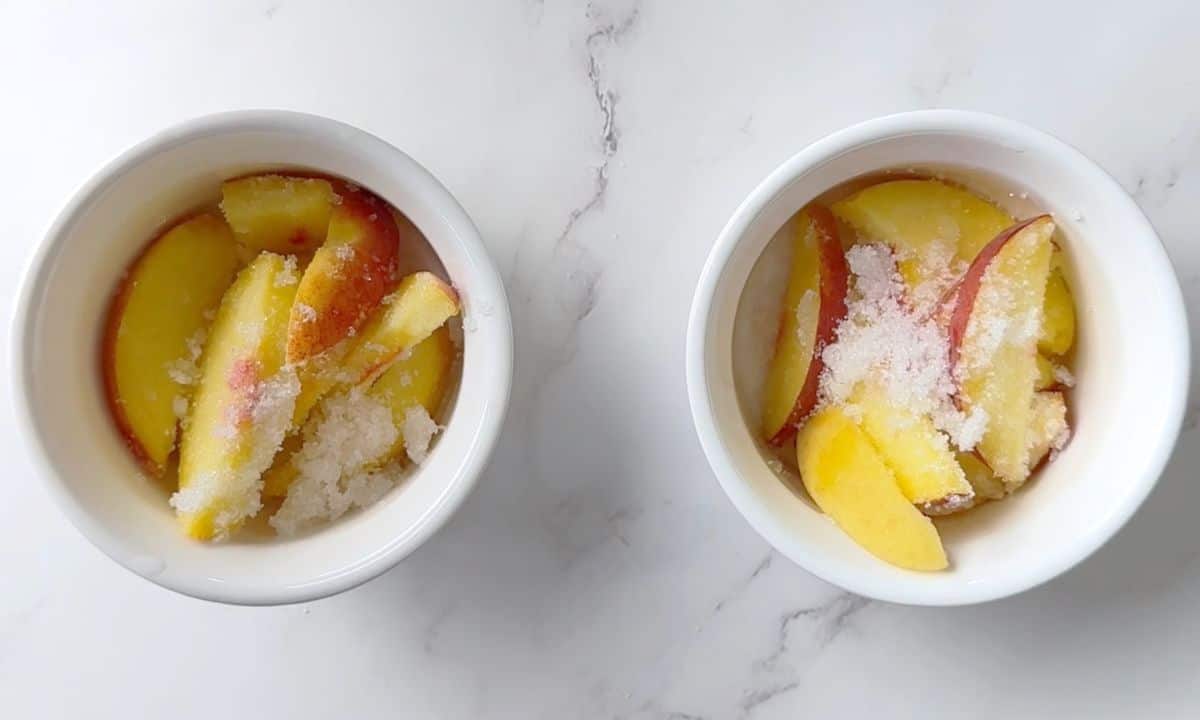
(813, 307)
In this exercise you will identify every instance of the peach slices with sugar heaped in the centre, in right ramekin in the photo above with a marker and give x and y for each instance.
(923, 359)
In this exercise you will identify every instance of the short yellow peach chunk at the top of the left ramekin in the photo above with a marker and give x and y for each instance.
(281, 214)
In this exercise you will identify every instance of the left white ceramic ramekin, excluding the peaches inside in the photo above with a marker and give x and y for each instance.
(61, 398)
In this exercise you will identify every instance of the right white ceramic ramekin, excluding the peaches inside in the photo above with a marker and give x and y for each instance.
(1132, 361)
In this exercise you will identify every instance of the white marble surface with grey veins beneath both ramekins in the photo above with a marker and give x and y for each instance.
(598, 572)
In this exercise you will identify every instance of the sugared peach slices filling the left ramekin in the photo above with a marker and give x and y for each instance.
(284, 356)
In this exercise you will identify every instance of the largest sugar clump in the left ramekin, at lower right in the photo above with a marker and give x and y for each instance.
(349, 433)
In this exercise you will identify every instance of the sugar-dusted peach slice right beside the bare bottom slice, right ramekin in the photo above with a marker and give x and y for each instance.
(914, 449)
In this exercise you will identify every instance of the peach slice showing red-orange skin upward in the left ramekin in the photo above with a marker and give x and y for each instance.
(349, 277)
